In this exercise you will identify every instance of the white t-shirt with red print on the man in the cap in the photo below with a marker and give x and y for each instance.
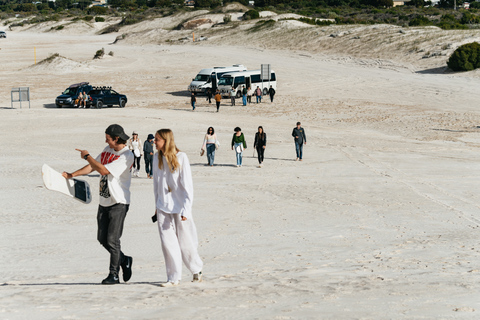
(115, 186)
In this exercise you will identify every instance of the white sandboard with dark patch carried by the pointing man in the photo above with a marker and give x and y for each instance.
(78, 189)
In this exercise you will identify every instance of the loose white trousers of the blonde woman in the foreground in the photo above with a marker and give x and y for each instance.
(179, 242)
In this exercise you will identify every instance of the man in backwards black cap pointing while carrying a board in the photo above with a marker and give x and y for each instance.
(114, 165)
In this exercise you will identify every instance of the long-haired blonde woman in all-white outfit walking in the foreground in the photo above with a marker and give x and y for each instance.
(173, 190)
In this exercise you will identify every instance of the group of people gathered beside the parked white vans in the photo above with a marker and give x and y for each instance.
(246, 93)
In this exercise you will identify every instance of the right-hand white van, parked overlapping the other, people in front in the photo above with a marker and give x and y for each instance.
(249, 79)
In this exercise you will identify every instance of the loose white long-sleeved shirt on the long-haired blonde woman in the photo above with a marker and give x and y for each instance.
(173, 191)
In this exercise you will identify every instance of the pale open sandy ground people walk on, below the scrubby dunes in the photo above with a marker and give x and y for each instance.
(380, 221)
